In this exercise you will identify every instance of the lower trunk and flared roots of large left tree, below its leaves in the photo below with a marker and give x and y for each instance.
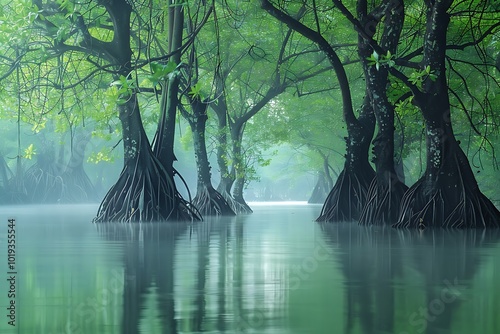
(145, 190)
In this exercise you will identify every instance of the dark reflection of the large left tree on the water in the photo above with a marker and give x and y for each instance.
(148, 257)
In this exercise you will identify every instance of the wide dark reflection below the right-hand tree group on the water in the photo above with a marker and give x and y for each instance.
(406, 281)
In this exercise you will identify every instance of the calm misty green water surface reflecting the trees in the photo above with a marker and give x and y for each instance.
(274, 271)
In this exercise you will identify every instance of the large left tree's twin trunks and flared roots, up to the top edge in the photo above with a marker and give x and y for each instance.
(145, 190)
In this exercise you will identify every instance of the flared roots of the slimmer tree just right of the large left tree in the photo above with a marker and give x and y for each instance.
(210, 202)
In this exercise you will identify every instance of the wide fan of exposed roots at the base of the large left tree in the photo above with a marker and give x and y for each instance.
(145, 194)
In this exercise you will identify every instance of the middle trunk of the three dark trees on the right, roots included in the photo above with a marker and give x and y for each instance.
(386, 190)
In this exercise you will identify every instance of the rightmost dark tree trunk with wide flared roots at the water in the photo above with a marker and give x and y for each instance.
(447, 195)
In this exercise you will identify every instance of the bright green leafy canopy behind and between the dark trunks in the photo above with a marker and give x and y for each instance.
(244, 44)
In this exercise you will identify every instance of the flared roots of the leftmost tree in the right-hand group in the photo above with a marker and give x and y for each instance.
(347, 198)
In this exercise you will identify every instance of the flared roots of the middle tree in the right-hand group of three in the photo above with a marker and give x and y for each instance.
(383, 201)
